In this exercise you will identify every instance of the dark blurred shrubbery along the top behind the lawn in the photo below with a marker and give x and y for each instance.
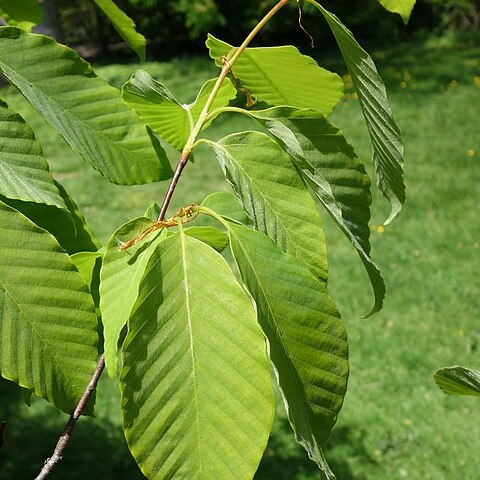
(175, 26)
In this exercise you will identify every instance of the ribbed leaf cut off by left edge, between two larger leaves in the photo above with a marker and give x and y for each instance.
(24, 173)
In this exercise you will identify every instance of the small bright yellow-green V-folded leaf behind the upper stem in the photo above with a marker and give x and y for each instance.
(157, 106)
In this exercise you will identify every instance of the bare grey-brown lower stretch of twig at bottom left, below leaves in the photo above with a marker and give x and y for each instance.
(67, 433)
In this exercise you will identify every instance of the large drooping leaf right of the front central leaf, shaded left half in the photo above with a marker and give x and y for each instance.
(307, 339)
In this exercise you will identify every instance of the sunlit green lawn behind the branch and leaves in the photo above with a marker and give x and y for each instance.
(395, 423)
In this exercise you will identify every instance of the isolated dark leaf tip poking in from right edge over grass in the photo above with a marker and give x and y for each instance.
(458, 381)
